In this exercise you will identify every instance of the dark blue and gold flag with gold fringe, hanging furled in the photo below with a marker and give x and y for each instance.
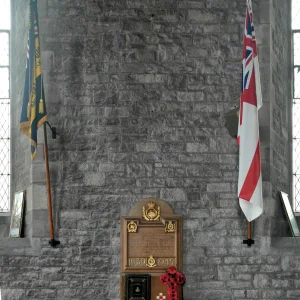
(33, 113)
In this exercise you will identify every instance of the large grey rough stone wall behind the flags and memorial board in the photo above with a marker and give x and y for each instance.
(138, 91)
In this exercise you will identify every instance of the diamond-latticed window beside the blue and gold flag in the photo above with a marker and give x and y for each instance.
(4, 106)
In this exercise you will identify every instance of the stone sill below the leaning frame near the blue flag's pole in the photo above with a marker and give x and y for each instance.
(20, 246)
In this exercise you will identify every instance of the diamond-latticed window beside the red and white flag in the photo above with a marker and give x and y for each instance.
(296, 102)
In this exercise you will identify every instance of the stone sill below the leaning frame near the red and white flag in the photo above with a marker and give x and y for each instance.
(285, 245)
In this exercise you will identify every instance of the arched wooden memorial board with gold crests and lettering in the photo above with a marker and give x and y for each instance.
(151, 241)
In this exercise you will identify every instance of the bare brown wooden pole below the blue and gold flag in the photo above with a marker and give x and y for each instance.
(52, 241)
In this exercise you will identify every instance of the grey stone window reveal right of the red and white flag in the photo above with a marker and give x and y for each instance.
(281, 103)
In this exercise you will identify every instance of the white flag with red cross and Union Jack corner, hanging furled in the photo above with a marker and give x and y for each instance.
(249, 180)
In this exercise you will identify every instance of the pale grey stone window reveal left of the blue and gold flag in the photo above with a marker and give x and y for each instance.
(20, 162)
